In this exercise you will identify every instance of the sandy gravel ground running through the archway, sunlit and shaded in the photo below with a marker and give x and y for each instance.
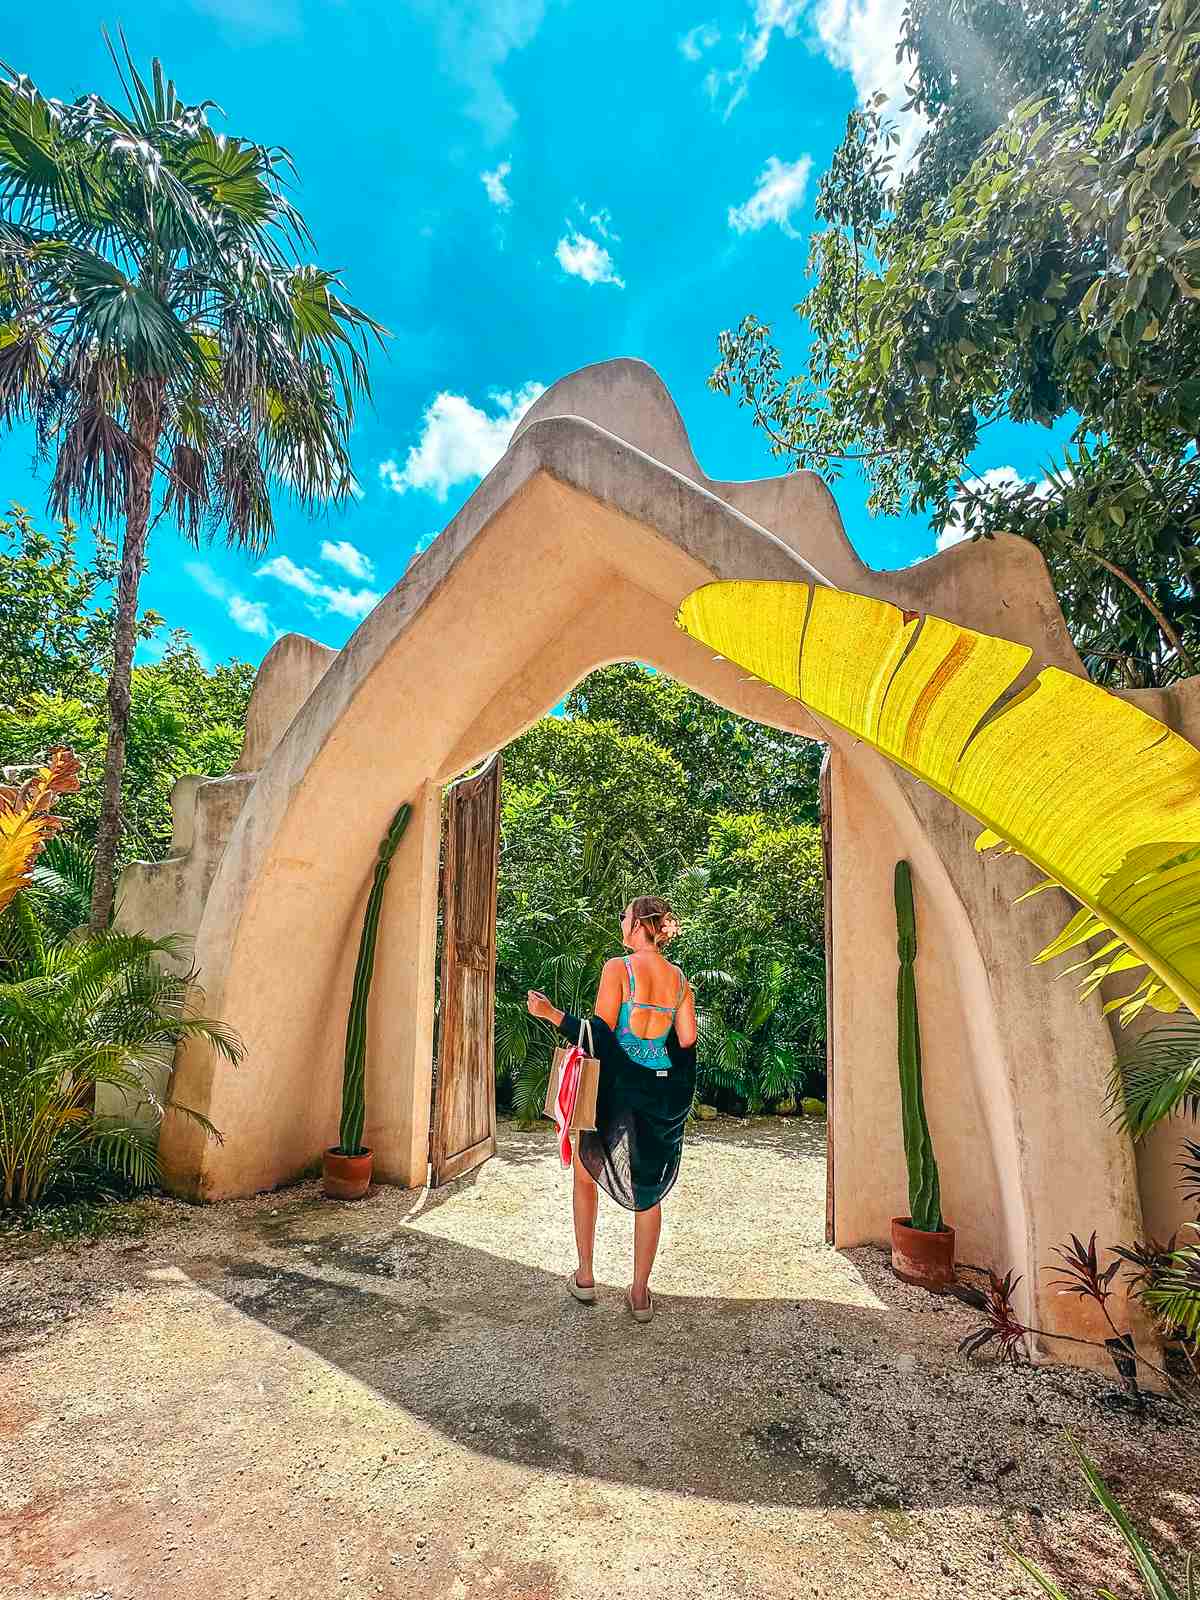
(287, 1399)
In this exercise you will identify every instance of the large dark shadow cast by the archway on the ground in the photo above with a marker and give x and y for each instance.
(802, 1402)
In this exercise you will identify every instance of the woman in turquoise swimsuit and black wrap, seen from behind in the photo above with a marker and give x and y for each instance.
(646, 1039)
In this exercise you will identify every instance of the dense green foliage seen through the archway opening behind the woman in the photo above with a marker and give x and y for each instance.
(644, 788)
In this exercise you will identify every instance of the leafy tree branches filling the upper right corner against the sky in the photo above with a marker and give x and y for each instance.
(1039, 262)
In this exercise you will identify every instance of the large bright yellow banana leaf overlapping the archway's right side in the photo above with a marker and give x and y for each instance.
(1103, 798)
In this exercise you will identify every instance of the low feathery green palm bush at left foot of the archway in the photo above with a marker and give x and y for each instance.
(94, 1010)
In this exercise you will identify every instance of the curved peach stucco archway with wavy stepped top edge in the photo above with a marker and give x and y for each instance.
(577, 551)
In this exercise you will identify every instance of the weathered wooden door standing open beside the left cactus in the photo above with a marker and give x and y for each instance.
(463, 1126)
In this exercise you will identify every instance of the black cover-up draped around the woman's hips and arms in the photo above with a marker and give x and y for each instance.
(636, 1150)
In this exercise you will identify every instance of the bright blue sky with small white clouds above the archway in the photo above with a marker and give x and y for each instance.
(516, 188)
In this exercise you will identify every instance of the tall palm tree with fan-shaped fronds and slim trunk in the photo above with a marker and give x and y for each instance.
(162, 334)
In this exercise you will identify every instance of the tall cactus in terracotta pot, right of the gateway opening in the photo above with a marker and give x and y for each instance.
(922, 1246)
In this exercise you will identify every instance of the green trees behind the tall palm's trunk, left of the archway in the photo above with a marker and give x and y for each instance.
(55, 652)
